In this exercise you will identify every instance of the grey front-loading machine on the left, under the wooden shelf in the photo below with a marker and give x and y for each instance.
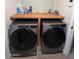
(23, 38)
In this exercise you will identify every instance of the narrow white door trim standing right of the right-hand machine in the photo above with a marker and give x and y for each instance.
(69, 37)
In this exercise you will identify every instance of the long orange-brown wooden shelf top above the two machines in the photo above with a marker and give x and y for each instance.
(36, 15)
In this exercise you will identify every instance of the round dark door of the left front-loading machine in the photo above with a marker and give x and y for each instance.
(23, 39)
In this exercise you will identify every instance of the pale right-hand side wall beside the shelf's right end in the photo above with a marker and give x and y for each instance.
(63, 7)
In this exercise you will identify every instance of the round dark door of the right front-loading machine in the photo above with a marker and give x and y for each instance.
(54, 37)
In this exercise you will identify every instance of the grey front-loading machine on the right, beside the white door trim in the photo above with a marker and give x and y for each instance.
(53, 36)
